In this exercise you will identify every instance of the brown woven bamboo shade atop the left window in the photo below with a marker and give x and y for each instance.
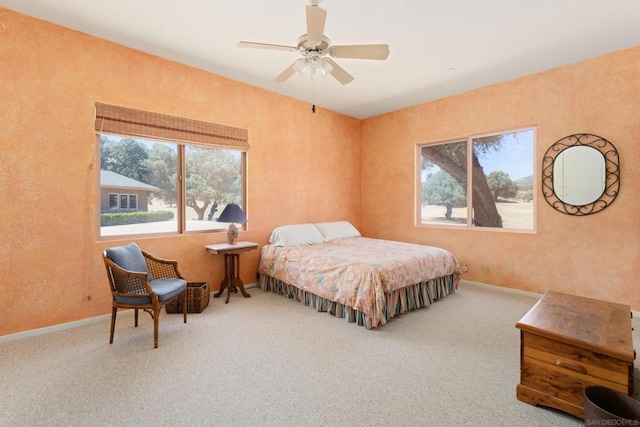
(144, 124)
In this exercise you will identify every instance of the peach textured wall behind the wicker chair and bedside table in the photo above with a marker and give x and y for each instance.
(301, 167)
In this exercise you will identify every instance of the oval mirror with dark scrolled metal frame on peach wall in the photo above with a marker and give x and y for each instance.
(581, 174)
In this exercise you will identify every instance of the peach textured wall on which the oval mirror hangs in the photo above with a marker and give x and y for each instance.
(596, 256)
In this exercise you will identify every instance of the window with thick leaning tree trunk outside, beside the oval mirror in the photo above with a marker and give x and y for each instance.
(478, 181)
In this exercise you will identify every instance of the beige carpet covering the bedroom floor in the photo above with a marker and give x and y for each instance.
(270, 361)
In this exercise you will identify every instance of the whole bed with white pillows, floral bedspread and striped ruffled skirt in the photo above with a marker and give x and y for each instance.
(331, 267)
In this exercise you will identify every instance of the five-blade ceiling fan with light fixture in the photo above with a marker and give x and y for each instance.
(317, 50)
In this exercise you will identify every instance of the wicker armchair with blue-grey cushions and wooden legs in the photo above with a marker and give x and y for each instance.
(141, 281)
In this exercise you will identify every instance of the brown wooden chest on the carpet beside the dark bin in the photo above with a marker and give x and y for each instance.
(568, 343)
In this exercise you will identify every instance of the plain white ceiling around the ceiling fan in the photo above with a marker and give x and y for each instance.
(438, 47)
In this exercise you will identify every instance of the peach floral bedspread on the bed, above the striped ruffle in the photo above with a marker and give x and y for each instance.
(357, 271)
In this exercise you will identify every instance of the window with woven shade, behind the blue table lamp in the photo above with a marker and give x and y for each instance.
(164, 174)
